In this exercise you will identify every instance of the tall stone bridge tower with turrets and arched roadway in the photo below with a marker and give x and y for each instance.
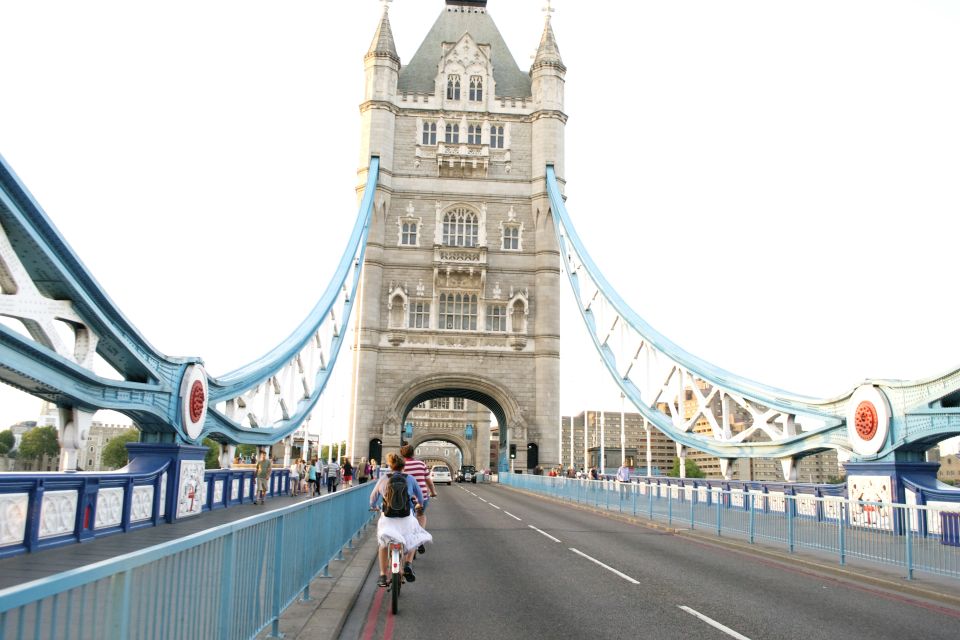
(460, 289)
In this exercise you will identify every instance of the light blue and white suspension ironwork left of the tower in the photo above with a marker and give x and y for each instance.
(150, 392)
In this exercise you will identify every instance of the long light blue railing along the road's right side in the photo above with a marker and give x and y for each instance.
(914, 537)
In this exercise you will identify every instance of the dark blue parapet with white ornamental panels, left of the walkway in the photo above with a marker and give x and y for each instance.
(46, 510)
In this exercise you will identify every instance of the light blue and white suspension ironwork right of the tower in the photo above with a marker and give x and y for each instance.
(654, 374)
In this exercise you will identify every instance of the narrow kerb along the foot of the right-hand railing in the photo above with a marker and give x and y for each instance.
(836, 571)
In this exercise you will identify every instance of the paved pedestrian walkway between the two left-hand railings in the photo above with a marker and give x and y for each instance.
(33, 566)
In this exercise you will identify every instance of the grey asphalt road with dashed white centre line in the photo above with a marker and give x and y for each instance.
(509, 565)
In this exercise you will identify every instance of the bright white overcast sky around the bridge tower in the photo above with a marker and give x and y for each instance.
(771, 184)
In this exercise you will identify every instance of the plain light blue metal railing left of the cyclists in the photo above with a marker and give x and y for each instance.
(231, 581)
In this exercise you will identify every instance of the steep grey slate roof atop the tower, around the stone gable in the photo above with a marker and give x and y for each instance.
(420, 74)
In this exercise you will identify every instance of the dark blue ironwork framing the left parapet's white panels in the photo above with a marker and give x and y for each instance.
(223, 488)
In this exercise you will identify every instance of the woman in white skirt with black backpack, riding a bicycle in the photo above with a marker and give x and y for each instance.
(401, 528)
